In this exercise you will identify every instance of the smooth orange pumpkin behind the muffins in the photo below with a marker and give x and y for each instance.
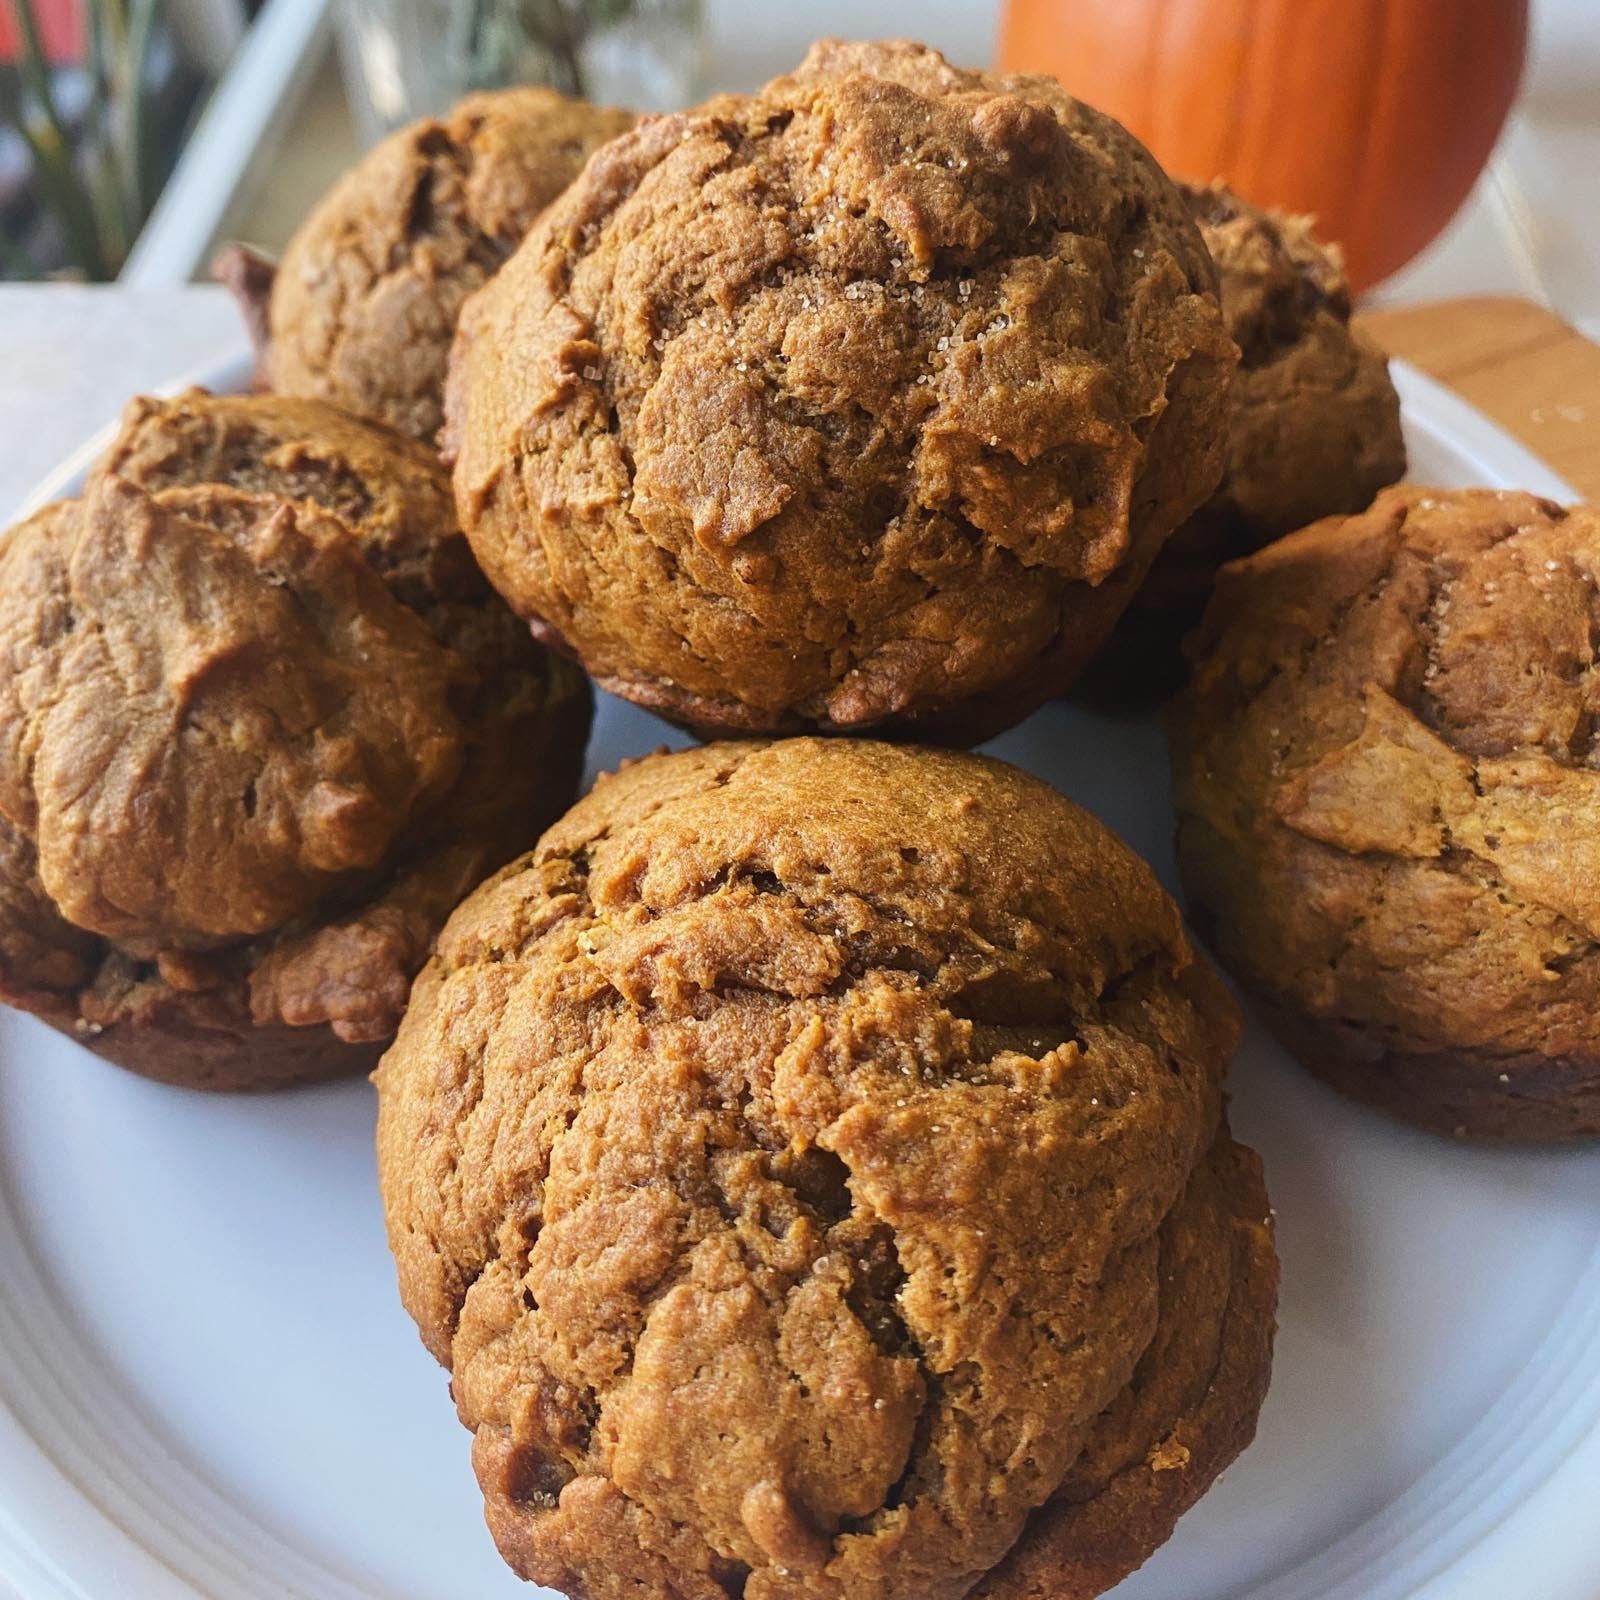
(1375, 116)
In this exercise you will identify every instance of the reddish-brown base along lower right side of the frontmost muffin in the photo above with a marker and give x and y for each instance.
(1081, 1545)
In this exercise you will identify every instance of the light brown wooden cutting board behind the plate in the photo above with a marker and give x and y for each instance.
(1518, 364)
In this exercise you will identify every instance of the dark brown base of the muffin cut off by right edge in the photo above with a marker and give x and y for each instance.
(1522, 1098)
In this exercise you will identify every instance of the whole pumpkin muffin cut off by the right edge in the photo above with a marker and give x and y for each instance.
(1390, 806)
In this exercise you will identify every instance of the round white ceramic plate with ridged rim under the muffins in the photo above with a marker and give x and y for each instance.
(209, 1390)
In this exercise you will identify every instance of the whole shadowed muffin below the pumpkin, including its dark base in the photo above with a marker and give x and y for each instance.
(1314, 430)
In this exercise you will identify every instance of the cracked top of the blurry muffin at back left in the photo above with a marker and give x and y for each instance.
(366, 300)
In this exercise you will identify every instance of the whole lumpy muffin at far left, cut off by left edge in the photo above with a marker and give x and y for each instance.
(262, 727)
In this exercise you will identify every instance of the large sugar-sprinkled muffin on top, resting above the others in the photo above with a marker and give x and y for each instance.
(863, 402)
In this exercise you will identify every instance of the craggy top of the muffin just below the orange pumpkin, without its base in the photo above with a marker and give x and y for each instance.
(1316, 422)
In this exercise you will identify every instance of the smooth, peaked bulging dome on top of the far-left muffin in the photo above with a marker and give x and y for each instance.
(217, 713)
